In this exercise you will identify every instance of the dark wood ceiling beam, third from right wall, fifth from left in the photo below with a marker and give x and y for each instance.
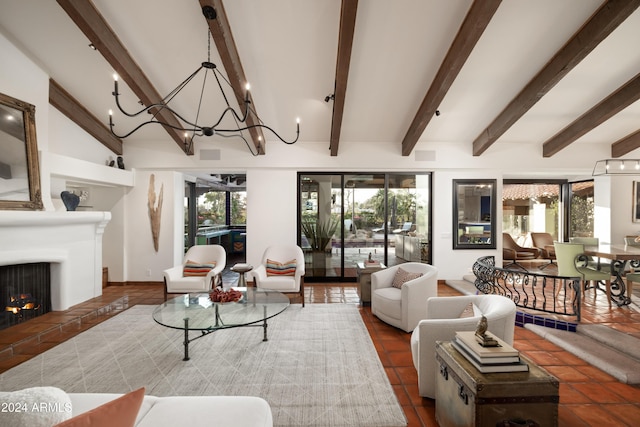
(472, 27)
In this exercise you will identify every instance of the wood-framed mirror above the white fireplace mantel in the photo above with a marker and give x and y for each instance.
(19, 167)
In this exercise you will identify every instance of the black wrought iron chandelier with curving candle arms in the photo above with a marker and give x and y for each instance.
(192, 128)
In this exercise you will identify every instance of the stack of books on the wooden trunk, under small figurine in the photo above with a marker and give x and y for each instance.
(501, 358)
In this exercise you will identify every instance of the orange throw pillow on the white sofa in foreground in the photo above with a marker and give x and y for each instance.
(121, 412)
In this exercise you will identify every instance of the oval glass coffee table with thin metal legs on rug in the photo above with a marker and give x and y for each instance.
(196, 312)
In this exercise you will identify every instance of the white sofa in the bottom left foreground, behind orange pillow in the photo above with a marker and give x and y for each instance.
(192, 411)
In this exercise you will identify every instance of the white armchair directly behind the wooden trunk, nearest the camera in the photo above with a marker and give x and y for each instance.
(443, 321)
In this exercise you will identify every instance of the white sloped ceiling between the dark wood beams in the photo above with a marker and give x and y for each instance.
(288, 50)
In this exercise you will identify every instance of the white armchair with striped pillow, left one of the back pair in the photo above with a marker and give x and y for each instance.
(175, 280)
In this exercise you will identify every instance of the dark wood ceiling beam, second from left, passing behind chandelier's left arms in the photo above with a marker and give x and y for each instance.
(85, 15)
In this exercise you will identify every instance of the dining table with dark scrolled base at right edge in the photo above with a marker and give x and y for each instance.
(621, 256)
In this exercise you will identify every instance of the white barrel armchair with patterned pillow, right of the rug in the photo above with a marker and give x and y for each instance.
(403, 307)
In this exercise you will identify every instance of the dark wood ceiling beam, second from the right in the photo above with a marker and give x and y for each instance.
(603, 111)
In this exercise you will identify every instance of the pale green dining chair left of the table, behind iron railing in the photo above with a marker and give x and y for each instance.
(569, 257)
